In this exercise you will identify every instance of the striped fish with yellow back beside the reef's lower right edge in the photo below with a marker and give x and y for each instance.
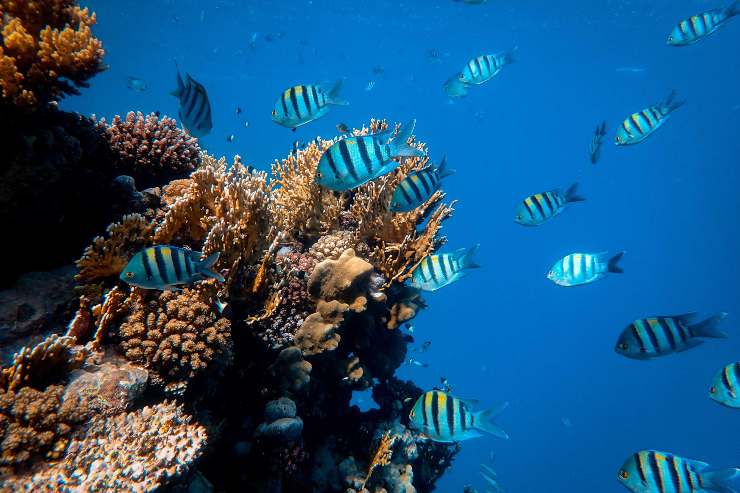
(444, 418)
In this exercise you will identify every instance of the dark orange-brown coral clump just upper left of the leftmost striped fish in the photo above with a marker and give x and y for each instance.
(108, 256)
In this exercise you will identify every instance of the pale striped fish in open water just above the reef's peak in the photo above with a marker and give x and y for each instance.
(301, 104)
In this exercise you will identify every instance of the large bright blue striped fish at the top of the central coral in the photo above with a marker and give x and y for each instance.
(350, 162)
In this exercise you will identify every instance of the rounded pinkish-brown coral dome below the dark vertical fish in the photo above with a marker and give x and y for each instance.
(151, 150)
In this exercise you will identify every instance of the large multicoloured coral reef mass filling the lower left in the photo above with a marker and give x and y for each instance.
(261, 366)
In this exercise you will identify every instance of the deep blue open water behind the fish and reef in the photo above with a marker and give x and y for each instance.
(505, 332)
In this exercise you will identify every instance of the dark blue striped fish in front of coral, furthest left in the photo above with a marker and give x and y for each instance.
(165, 267)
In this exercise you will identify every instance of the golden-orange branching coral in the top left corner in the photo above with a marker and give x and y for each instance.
(47, 51)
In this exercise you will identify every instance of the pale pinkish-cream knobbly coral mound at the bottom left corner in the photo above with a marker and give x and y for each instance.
(135, 452)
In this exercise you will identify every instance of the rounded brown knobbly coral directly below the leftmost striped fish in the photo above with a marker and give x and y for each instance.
(177, 335)
